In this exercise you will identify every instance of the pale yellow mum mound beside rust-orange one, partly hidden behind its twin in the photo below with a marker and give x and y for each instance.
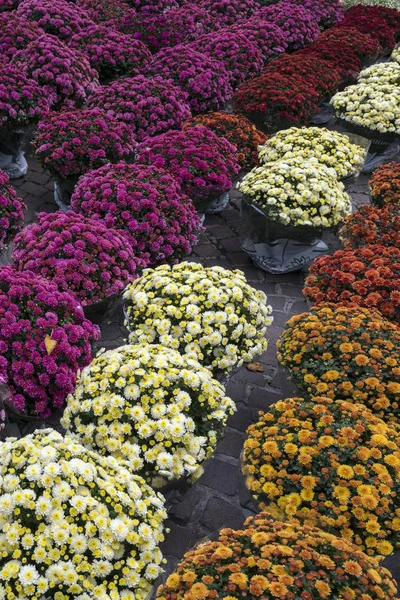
(330, 148)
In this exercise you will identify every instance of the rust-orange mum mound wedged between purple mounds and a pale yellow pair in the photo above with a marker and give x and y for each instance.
(239, 131)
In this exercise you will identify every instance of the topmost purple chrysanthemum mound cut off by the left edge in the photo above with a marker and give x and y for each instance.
(16, 32)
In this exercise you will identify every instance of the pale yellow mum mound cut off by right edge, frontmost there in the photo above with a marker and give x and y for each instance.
(373, 106)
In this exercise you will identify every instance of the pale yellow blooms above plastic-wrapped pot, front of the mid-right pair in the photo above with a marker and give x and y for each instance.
(297, 192)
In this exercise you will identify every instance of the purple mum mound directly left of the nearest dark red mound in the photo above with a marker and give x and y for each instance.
(205, 79)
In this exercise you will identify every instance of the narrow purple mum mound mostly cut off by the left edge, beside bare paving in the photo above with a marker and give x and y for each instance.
(12, 211)
